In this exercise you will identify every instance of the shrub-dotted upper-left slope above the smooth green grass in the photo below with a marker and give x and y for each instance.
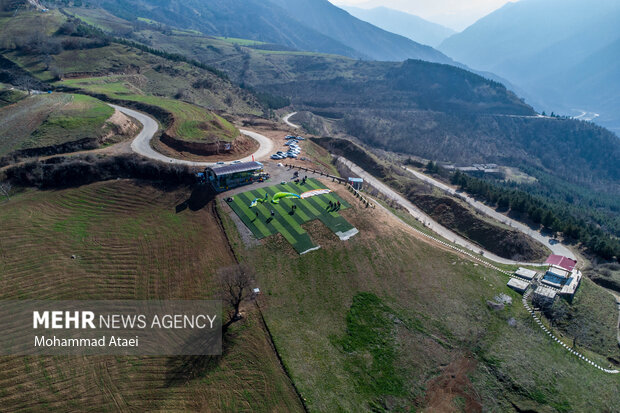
(60, 48)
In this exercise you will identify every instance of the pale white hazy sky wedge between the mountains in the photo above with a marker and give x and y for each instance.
(456, 14)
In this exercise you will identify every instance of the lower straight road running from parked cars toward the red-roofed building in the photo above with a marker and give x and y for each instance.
(427, 220)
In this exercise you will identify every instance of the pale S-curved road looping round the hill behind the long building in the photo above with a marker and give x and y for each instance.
(142, 143)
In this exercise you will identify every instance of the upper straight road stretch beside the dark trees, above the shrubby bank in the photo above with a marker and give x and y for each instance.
(556, 247)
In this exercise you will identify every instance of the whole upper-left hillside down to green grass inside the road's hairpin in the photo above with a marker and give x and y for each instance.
(85, 61)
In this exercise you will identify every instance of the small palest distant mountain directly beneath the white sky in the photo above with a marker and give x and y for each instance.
(404, 24)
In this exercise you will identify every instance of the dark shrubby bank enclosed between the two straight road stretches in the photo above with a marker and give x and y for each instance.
(502, 241)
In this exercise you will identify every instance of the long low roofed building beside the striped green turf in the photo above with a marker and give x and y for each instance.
(224, 177)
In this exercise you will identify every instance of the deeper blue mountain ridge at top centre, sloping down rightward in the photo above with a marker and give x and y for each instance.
(308, 25)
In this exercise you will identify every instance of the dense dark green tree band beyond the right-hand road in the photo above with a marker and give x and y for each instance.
(550, 215)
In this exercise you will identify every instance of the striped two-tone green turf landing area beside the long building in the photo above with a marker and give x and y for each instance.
(285, 223)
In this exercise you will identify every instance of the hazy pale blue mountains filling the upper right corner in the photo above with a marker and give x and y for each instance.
(563, 54)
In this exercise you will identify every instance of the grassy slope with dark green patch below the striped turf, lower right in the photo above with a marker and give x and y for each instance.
(391, 323)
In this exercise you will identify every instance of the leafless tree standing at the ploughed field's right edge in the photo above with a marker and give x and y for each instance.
(236, 282)
